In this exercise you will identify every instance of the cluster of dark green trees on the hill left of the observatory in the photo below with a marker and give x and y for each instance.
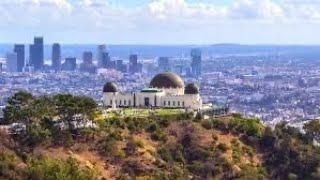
(47, 117)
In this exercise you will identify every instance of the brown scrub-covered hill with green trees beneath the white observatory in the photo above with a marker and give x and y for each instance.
(148, 144)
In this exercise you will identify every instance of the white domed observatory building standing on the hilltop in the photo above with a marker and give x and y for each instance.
(166, 90)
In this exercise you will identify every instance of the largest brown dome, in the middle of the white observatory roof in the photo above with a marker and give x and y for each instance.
(167, 80)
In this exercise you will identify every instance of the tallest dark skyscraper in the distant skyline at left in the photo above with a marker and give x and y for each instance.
(37, 53)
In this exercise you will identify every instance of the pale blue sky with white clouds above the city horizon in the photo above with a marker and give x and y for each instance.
(161, 21)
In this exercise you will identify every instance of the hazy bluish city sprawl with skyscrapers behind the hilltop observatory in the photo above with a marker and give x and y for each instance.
(271, 87)
